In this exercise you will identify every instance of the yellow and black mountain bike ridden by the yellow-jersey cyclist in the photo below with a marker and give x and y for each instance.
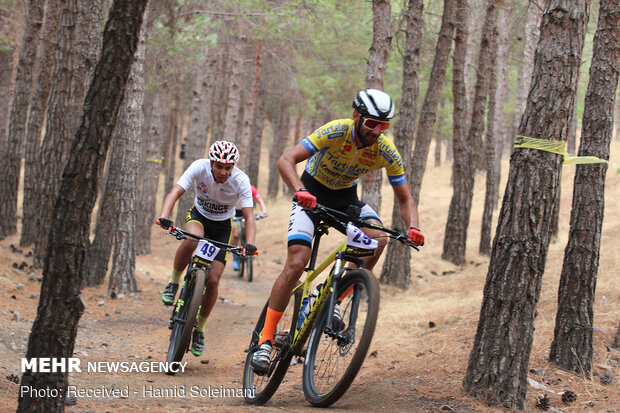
(334, 354)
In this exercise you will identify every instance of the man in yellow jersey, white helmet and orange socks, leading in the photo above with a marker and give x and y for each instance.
(338, 153)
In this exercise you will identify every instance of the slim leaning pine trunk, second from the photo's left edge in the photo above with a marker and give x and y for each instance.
(38, 107)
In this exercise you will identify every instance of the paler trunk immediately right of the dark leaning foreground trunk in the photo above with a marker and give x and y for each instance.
(127, 136)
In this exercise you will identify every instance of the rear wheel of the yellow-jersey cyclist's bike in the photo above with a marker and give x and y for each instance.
(258, 389)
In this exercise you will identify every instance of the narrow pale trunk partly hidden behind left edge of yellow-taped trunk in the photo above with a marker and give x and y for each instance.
(532, 32)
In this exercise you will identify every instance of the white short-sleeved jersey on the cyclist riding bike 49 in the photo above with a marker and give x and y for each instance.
(213, 200)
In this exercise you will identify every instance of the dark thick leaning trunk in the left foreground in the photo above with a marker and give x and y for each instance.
(61, 305)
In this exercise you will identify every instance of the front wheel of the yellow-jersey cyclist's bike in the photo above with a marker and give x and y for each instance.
(331, 364)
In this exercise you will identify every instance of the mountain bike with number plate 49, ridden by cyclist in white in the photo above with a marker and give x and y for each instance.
(185, 310)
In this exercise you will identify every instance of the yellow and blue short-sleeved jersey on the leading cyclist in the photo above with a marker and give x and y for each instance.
(337, 163)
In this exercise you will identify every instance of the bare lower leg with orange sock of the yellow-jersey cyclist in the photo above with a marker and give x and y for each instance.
(296, 259)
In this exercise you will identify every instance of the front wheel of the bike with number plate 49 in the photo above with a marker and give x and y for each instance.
(184, 322)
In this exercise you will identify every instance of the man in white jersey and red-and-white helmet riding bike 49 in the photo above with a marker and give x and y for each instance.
(218, 186)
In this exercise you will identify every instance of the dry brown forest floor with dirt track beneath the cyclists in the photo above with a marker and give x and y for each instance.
(418, 356)
